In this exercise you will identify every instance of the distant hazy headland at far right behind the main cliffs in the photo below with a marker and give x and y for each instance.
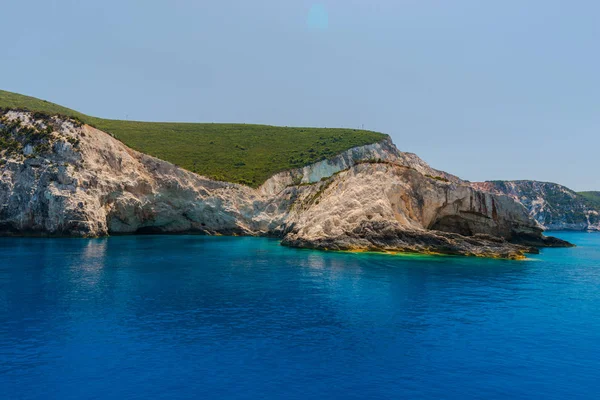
(553, 206)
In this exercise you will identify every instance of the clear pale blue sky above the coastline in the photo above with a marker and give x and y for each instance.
(483, 89)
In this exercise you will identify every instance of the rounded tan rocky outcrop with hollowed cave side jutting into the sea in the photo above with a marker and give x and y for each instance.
(389, 207)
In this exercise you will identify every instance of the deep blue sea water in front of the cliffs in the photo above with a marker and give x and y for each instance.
(189, 317)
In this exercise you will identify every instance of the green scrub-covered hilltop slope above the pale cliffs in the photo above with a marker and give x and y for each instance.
(241, 153)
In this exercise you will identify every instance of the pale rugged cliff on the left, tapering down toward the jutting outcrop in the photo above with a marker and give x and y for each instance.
(76, 180)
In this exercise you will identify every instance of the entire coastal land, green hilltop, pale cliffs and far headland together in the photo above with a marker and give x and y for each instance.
(68, 174)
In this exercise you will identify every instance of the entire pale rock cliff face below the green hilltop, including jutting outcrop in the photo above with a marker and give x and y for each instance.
(58, 177)
